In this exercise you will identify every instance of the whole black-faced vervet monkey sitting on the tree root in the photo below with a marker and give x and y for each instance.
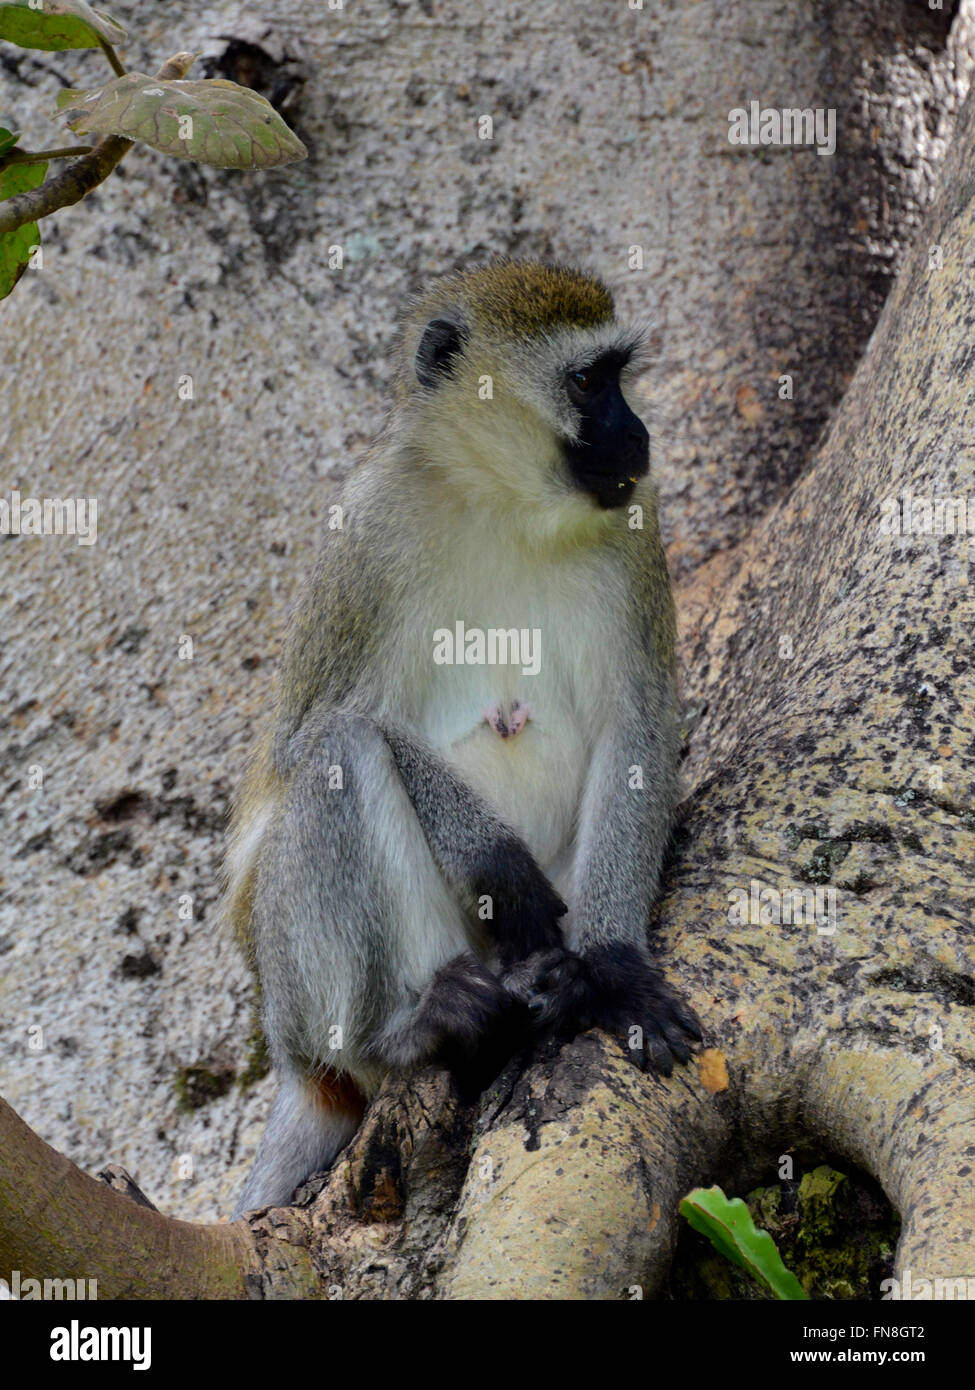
(454, 832)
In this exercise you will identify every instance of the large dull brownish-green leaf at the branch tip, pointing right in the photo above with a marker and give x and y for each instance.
(213, 122)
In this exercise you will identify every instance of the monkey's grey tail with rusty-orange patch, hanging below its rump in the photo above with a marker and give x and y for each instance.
(308, 1127)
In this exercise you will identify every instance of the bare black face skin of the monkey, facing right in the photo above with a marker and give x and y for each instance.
(613, 450)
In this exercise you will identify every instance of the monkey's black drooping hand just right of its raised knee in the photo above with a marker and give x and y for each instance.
(525, 907)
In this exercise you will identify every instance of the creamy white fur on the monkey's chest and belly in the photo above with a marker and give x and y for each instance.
(535, 779)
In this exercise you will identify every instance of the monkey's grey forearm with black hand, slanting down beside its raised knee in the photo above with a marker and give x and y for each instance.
(482, 858)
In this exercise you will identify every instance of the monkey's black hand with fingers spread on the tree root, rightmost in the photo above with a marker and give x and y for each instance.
(611, 988)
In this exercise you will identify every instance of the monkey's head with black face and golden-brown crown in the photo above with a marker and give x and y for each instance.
(514, 386)
